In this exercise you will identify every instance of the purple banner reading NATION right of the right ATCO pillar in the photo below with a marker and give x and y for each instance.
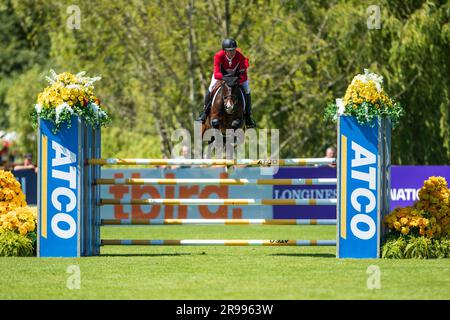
(407, 181)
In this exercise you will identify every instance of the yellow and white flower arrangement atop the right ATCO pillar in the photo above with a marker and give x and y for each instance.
(365, 99)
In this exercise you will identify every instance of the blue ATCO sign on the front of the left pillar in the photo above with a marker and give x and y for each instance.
(58, 232)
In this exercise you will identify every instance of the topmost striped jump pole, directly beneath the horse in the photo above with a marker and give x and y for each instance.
(214, 162)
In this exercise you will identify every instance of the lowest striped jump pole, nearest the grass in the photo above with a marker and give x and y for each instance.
(221, 242)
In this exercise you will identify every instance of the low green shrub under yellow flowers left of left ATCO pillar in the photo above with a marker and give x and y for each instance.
(15, 245)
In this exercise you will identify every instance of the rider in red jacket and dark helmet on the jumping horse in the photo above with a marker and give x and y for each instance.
(225, 60)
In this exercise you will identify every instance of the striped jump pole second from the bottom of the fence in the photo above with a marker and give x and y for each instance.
(109, 222)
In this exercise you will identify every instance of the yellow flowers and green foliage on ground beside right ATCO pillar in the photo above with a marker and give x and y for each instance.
(421, 230)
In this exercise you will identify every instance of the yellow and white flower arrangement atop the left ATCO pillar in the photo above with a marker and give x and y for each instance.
(69, 95)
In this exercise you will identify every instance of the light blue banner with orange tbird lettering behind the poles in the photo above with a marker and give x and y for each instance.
(127, 192)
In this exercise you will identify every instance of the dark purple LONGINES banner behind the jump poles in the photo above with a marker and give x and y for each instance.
(305, 192)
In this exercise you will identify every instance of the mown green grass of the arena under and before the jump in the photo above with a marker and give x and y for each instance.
(139, 272)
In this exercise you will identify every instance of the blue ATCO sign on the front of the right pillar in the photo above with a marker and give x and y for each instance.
(359, 201)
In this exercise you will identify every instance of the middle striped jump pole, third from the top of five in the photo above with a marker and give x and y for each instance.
(221, 202)
